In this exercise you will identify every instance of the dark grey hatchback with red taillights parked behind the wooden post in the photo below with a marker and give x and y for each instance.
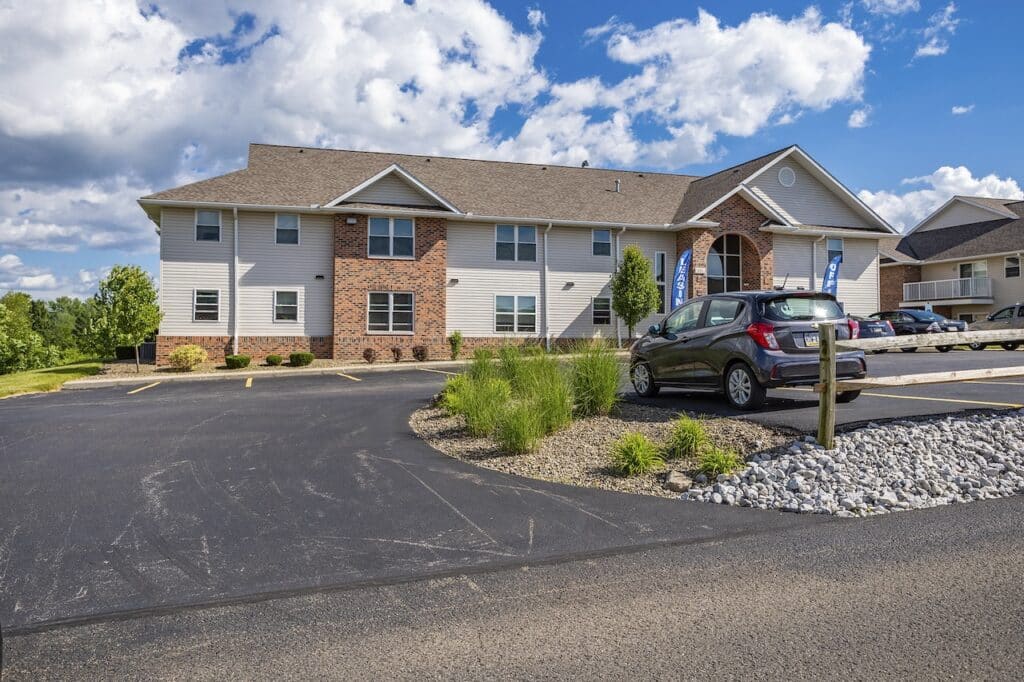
(743, 344)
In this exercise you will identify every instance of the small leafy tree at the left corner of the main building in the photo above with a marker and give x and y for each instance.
(127, 311)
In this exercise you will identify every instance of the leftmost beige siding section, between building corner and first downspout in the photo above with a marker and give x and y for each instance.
(186, 266)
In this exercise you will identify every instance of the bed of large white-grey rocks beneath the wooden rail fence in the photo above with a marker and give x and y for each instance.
(883, 468)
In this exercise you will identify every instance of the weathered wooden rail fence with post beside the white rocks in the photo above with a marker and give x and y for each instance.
(828, 387)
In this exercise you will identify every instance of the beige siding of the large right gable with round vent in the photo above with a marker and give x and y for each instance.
(807, 202)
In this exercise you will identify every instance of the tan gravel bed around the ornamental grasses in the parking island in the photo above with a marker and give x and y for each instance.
(579, 455)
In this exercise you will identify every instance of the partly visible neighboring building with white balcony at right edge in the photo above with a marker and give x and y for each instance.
(964, 261)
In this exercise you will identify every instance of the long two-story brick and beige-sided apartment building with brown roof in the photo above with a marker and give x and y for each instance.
(337, 251)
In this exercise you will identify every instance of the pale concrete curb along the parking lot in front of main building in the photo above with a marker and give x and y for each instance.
(235, 375)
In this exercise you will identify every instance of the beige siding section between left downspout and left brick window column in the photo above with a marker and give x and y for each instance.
(266, 267)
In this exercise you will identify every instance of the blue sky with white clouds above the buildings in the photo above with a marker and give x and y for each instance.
(907, 102)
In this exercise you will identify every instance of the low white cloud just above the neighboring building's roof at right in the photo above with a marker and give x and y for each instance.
(906, 210)
